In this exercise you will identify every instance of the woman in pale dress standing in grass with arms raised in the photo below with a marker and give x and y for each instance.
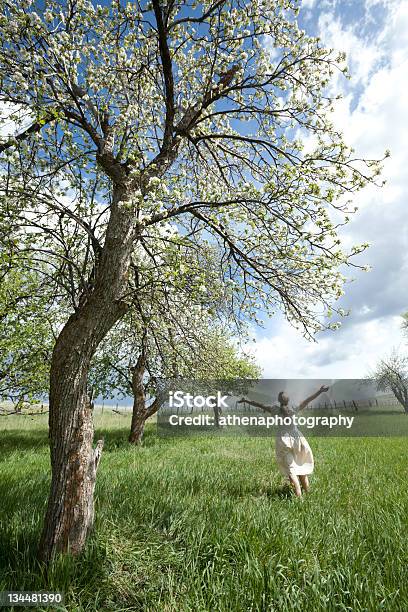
(292, 450)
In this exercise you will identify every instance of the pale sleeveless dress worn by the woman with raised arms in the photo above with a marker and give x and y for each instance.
(293, 453)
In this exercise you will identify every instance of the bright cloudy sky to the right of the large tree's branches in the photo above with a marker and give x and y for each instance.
(373, 115)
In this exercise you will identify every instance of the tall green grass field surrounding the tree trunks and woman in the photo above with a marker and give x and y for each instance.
(206, 524)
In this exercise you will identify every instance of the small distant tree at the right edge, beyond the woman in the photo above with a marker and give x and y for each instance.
(391, 374)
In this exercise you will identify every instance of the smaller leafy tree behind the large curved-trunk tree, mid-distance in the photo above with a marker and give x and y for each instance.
(134, 359)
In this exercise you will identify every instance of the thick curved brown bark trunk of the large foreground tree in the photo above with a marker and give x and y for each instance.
(74, 461)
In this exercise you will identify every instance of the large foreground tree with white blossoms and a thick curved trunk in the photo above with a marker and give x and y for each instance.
(133, 115)
